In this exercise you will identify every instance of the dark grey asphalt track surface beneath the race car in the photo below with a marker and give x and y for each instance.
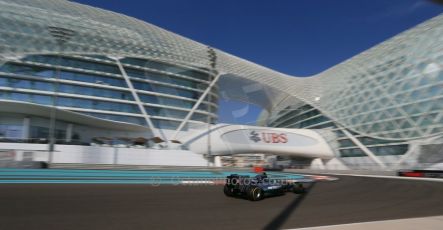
(118, 206)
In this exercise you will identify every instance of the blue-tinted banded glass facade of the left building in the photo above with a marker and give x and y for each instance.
(95, 86)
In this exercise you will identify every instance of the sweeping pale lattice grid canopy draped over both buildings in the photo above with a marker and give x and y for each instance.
(392, 91)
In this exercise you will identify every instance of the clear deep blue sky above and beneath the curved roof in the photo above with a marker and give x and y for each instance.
(301, 37)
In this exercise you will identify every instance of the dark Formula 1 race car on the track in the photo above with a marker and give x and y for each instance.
(258, 187)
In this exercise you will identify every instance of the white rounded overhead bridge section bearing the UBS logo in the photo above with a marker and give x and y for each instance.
(236, 139)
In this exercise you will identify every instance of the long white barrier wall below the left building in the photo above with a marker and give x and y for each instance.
(105, 155)
